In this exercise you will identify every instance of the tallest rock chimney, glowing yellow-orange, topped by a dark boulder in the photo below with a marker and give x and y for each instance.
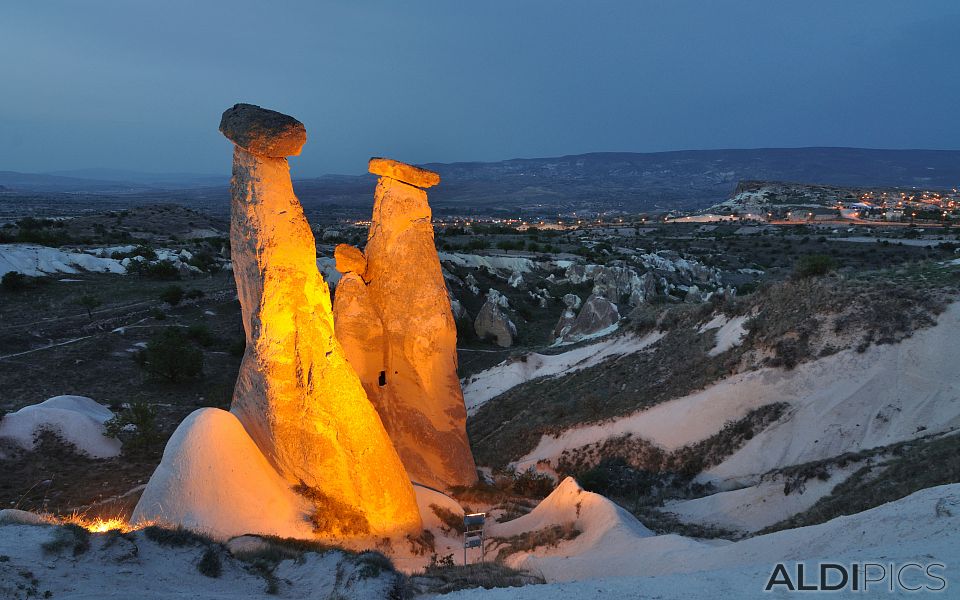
(296, 394)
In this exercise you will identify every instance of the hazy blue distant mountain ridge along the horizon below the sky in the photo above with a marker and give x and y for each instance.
(685, 179)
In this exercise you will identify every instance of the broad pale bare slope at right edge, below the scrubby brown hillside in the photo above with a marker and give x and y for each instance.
(841, 403)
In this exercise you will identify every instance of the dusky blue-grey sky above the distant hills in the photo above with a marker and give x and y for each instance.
(141, 85)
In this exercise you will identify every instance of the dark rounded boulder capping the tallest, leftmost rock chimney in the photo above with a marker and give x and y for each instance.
(262, 131)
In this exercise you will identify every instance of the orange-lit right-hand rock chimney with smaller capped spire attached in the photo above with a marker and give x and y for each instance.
(407, 356)
